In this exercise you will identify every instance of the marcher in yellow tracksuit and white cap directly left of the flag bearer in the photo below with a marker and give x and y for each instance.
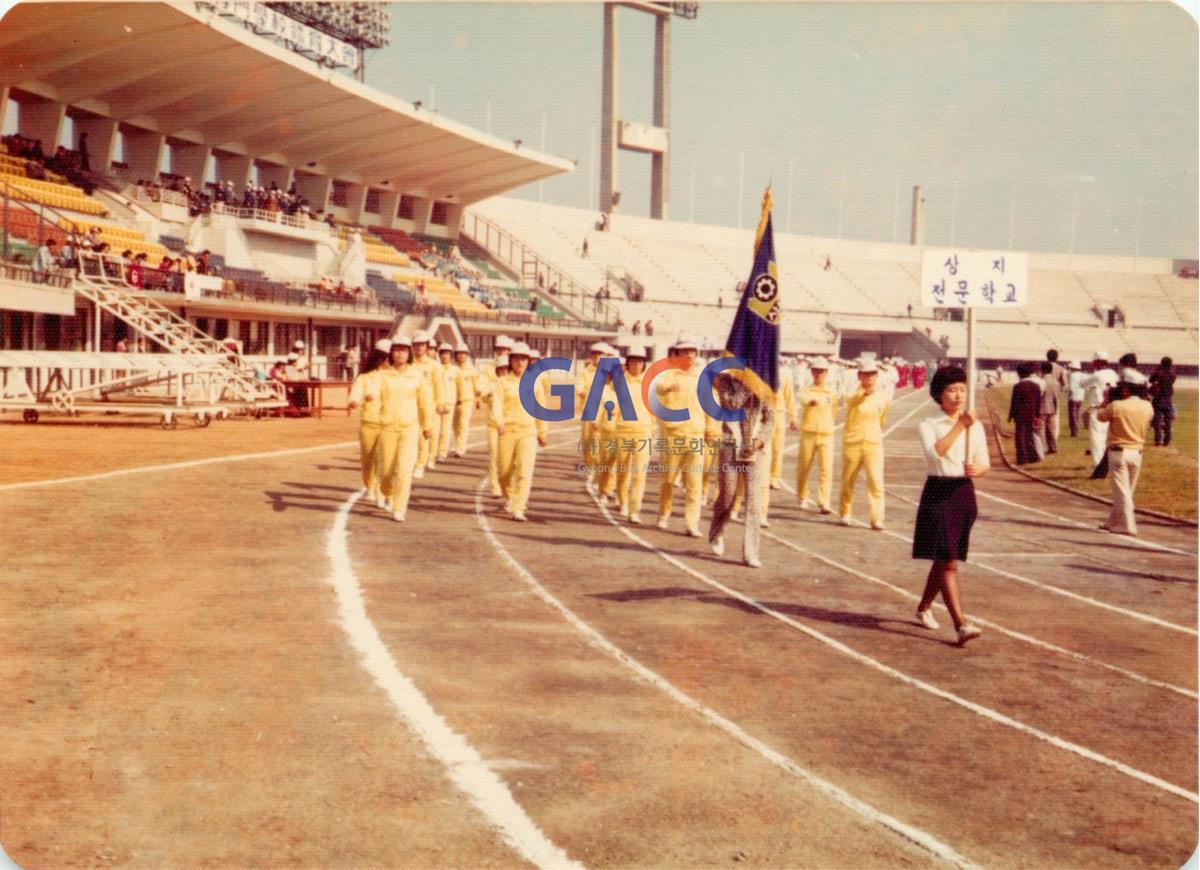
(676, 389)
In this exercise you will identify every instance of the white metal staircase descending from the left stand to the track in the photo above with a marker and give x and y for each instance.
(100, 281)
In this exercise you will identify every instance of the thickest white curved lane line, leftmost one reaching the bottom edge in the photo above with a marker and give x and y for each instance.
(466, 767)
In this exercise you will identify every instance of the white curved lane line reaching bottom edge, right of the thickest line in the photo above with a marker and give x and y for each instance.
(921, 838)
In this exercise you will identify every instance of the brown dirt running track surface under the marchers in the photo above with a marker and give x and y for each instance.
(182, 692)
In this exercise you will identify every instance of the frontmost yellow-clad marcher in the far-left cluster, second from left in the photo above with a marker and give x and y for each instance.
(405, 417)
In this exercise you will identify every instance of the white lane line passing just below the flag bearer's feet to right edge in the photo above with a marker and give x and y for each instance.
(980, 710)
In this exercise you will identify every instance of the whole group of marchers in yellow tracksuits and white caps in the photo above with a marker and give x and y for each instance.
(418, 399)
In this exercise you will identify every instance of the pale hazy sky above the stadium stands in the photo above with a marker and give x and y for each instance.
(1035, 127)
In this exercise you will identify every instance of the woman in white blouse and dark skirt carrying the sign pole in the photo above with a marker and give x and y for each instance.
(947, 508)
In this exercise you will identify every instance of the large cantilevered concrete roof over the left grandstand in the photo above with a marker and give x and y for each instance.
(195, 76)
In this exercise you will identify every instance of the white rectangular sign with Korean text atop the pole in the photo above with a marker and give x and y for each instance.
(963, 279)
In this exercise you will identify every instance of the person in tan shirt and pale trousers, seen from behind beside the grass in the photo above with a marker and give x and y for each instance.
(1129, 417)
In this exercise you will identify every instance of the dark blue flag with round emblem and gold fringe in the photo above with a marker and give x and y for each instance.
(755, 334)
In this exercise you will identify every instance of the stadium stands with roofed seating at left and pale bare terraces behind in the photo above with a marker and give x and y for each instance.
(253, 200)
